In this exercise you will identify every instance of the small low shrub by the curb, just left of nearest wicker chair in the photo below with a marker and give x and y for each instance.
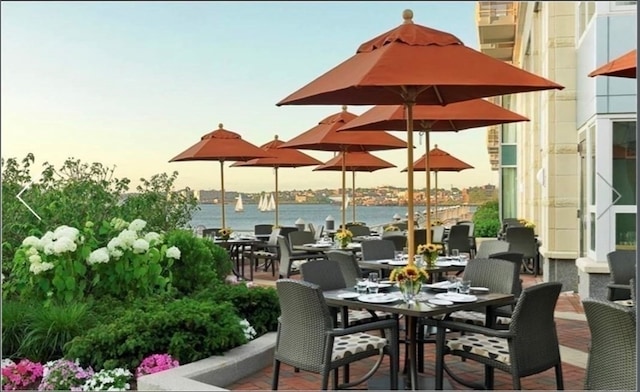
(259, 305)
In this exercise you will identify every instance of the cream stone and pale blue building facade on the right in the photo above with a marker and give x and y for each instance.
(571, 168)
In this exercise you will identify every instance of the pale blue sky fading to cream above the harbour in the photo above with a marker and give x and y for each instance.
(133, 84)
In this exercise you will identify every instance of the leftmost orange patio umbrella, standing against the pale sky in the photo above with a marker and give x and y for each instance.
(221, 145)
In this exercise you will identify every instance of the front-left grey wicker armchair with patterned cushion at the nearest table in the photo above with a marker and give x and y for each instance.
(307, 340)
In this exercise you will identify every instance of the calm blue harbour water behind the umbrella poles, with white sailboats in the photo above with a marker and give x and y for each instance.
(209, 215)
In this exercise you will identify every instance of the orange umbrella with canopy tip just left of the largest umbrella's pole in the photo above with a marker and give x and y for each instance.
(325, 137)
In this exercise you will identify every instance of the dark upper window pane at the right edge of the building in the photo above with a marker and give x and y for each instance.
(624, 162)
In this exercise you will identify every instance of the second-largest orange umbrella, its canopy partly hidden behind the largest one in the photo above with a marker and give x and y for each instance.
(434, 118)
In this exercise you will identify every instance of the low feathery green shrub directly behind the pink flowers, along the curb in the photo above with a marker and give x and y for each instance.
(187, 329)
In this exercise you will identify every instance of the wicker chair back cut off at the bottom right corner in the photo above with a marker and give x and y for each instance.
(611, 364)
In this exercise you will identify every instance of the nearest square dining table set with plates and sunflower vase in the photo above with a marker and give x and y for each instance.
(415, 312)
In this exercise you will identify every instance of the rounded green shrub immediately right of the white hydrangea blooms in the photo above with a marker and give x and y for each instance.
(201, 262)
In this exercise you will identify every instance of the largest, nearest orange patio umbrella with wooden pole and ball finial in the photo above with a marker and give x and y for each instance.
(410, 65)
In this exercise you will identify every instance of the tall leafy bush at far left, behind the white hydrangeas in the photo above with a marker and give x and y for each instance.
(79, 192)
